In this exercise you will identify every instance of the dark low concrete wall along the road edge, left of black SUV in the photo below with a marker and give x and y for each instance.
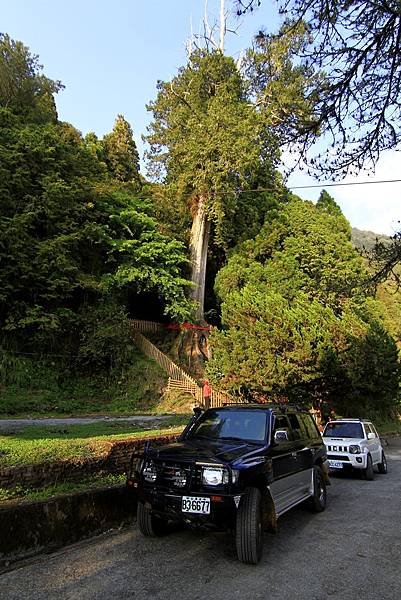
(30, 528)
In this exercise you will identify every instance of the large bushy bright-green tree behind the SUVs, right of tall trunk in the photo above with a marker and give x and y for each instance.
(298, 320)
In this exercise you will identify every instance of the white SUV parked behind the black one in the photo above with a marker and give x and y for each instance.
(354, 444)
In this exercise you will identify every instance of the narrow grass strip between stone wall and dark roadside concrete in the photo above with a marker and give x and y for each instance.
(19, 493)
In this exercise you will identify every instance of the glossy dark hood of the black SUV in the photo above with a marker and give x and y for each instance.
(192, 451)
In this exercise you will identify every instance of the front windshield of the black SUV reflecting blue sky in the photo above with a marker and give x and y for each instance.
(217, 424)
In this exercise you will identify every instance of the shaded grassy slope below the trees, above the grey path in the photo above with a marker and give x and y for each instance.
(36, 387)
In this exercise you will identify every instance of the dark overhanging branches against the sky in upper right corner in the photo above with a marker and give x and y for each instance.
(357, 44)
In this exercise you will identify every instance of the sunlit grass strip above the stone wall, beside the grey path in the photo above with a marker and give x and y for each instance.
(35, 445)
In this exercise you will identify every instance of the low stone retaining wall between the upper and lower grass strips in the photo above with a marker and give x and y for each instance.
(115, 459)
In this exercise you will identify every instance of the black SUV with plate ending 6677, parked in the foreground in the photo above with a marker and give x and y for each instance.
(236, 467)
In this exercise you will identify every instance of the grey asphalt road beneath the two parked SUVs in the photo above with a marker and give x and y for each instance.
(352, 551)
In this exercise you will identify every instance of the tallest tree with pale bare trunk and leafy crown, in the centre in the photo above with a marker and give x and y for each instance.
(207, 142)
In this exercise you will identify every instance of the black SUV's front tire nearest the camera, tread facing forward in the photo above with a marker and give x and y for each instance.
(249, 532)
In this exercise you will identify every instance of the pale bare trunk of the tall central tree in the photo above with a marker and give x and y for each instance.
(199, 243)
